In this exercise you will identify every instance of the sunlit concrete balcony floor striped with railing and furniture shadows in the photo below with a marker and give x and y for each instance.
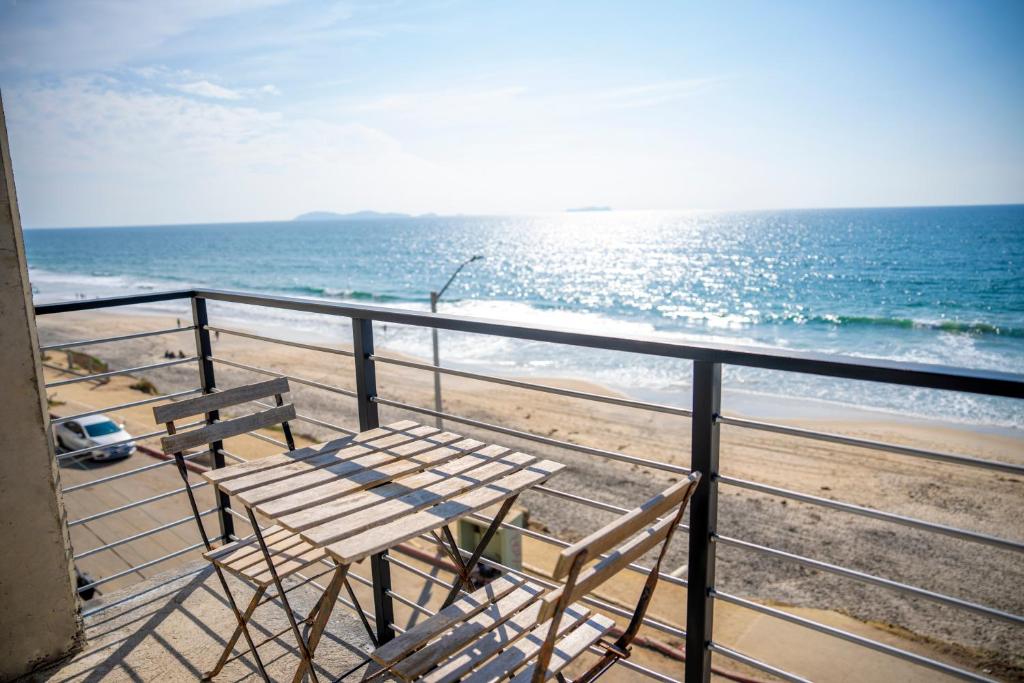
(177, 633)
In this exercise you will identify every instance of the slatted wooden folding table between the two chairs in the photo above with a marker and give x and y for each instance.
(352, 498)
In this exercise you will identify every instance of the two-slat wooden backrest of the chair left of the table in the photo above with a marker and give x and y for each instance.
(211, 404)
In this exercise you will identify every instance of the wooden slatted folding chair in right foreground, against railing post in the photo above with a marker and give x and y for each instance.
(516, 628)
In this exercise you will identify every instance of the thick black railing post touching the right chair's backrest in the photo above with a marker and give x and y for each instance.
(704, 516)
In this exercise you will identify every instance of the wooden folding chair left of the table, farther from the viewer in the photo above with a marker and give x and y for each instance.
(269, 556)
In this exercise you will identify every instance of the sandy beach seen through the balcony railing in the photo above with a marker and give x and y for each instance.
(962, 497)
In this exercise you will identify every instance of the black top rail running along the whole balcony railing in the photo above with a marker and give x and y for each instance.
(908, 374)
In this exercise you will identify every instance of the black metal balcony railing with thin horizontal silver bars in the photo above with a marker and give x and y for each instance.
(706, 419)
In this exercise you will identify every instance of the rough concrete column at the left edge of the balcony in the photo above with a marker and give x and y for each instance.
(39, 610)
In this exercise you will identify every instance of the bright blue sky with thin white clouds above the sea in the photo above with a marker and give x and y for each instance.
(196, 111)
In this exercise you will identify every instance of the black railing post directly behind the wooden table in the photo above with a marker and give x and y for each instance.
(366, 392)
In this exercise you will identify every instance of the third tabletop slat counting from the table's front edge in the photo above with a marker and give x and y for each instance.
(325, 513)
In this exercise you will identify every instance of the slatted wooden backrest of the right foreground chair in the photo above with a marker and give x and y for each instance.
(628, 538)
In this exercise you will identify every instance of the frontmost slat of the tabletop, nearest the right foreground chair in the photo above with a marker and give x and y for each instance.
(385, 537)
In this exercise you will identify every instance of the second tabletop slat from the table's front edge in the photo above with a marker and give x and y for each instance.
(416, 500)
